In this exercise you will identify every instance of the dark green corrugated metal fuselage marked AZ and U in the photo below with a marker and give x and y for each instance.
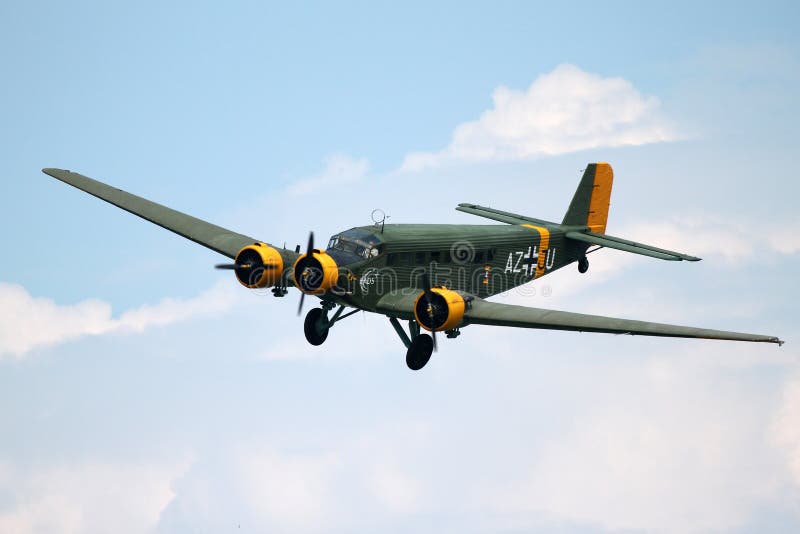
(481, 260)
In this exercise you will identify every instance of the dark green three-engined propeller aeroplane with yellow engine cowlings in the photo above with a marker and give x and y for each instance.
(435, 276)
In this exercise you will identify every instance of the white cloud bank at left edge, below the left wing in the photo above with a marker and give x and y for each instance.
(28, 322)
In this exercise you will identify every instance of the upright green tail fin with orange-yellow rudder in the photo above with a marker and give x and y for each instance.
(589, 206)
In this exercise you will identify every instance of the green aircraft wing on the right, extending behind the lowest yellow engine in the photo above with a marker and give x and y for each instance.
(498, 314)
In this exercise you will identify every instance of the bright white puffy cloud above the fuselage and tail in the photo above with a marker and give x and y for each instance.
(566, 110)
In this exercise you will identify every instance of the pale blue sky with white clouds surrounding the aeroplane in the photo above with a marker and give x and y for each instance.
(144, 391)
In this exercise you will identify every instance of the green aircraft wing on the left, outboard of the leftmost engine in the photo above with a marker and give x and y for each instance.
(209, 235)
